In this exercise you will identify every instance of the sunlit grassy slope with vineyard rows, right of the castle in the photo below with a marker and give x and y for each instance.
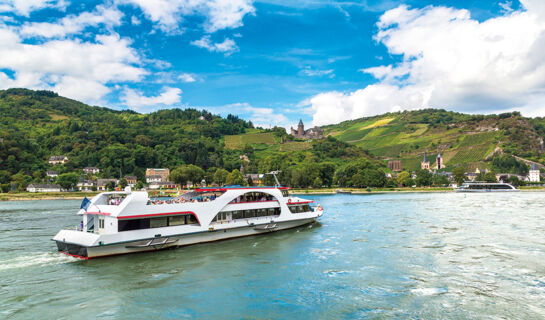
(462, 140)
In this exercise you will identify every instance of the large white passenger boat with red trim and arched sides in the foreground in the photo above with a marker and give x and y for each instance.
(126, 222)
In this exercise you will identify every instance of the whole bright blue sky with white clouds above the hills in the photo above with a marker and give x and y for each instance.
(276, 61)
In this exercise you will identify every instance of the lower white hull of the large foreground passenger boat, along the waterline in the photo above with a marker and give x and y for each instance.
(143, 245)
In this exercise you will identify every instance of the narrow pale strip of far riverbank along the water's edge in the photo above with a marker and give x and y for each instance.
(330, 191)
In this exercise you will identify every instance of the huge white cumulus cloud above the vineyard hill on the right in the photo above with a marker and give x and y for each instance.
(450, 60)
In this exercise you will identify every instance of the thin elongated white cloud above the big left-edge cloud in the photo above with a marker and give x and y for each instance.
(72, 24)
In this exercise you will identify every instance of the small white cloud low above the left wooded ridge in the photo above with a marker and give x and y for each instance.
(136, 100)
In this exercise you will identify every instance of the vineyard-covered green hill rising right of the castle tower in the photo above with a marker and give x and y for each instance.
(460, 138)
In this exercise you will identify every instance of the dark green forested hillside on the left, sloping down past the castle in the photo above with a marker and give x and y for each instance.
(35, 125)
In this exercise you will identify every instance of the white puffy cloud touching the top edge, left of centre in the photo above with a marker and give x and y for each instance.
(220, 14)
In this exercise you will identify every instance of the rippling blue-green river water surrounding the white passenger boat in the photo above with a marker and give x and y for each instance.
(420, 256)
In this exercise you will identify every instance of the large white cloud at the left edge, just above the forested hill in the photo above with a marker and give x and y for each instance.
(61, 64)
